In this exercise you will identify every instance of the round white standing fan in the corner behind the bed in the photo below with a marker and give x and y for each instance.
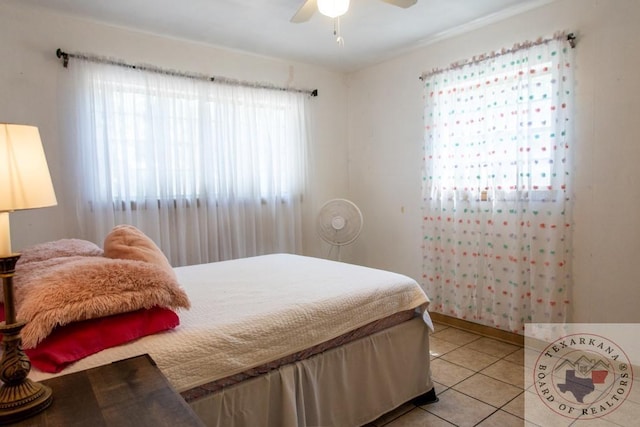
(339, 223)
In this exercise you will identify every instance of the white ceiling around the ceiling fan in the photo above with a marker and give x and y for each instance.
(372, 30)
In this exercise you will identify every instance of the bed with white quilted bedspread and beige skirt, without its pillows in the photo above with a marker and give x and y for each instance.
(288, 340)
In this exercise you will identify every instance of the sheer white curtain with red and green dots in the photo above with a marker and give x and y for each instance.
(497, 199)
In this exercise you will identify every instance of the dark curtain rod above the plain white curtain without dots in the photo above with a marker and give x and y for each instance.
(224, 80)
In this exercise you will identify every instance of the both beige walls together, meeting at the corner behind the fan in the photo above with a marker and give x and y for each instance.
(367, 131)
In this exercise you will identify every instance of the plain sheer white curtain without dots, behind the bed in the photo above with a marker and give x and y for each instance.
(209, 171)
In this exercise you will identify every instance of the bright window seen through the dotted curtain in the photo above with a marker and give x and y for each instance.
(495, 131)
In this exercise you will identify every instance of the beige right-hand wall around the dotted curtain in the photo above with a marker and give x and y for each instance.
(385, 136)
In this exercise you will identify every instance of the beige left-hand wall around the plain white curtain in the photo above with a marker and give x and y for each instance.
(29, 72)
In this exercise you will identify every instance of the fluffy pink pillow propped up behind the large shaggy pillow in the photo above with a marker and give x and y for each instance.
(128, 242)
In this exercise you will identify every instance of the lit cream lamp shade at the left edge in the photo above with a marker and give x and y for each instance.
(25, 182)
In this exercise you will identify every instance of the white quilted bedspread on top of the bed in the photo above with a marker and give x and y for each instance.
(251, 311)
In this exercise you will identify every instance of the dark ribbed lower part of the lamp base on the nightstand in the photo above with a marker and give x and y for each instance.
(20, 397)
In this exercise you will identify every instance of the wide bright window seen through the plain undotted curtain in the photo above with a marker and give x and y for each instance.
(204, 146)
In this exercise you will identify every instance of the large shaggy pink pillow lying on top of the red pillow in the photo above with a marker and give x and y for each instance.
(59, 291)
